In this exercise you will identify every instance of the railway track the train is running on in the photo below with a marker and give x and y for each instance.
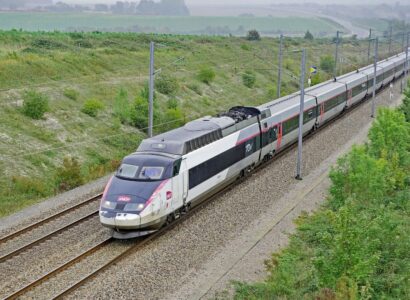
(142, 242)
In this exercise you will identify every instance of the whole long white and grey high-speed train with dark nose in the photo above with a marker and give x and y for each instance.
(178, 169)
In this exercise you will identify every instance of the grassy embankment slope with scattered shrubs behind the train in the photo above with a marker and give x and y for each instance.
(95, 105)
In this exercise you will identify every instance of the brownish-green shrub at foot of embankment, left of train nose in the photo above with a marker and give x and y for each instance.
(69, 176)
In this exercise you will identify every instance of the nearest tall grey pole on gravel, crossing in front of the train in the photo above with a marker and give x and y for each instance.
(301, 115)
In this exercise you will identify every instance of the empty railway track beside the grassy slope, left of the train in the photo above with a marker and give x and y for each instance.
(51, 234)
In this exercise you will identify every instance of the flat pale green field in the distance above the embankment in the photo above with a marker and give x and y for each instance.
(175, 25)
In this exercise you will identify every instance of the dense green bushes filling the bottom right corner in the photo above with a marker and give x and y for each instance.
(357, 245)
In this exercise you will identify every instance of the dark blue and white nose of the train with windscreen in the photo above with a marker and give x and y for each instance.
(133, 197)
